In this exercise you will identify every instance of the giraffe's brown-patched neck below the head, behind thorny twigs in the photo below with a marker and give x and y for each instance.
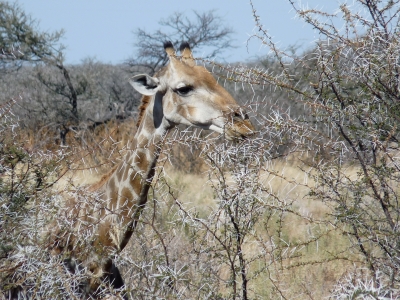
(126, 190)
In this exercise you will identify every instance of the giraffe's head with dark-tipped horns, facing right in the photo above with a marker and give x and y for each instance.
(189, 94)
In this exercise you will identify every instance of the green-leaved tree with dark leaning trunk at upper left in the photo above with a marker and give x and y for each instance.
(21, 42)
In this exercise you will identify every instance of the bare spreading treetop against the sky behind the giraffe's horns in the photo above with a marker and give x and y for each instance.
(206, 32)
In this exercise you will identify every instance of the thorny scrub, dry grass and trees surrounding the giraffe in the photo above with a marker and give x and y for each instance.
(307, 209)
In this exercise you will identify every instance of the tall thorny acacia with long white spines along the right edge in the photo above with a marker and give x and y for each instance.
(349, 83)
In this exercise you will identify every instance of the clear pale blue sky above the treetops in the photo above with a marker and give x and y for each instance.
(103, 29)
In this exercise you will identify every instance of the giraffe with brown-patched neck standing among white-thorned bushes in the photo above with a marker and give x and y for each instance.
(180, 93)
